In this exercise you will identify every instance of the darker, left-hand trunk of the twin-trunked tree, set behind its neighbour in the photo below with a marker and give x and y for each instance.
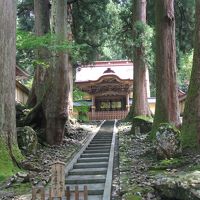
(41, 79)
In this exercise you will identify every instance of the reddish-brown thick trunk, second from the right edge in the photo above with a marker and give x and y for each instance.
(167, 110)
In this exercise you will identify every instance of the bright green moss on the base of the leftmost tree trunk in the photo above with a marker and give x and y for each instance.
(7, 168)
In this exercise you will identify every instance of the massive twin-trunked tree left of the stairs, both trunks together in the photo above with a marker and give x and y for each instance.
(49, 96)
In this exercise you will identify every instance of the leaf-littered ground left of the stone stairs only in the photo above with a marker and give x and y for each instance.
(18, 187)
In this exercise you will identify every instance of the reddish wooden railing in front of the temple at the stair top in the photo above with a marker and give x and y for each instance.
(107, 115)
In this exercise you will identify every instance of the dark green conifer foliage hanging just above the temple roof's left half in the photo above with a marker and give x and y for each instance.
(91, 23)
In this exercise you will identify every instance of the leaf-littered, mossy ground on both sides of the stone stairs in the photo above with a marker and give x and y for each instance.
(136, 167)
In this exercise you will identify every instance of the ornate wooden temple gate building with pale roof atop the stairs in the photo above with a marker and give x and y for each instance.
(109, 85)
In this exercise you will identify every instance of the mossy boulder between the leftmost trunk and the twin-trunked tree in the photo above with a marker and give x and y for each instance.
(27, 139)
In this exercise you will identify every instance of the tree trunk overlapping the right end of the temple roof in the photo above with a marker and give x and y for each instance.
(140, 101)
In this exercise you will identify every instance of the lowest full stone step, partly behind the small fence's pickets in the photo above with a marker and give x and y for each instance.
(93, 189)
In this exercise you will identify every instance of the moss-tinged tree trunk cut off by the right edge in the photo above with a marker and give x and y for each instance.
(191, 118)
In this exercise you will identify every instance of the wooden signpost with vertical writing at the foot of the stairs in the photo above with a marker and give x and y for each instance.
(58, 179)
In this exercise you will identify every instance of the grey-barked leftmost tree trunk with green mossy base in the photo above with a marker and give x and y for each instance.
(8, 139)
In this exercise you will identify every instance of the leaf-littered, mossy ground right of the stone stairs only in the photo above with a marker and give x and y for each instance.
(139, 168)
